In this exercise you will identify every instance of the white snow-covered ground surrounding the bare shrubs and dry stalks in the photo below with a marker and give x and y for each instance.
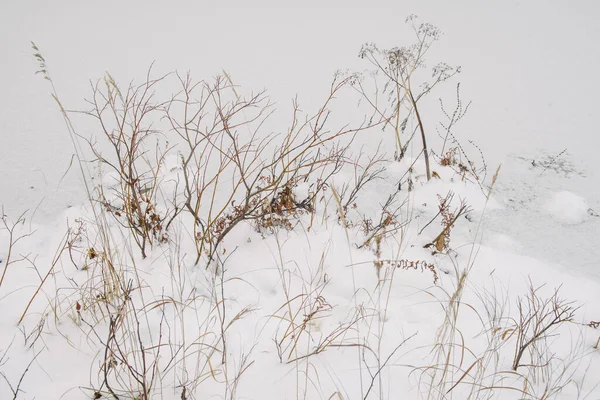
(312, 312)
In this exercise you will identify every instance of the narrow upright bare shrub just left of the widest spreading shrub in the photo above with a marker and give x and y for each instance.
(126, 121)
